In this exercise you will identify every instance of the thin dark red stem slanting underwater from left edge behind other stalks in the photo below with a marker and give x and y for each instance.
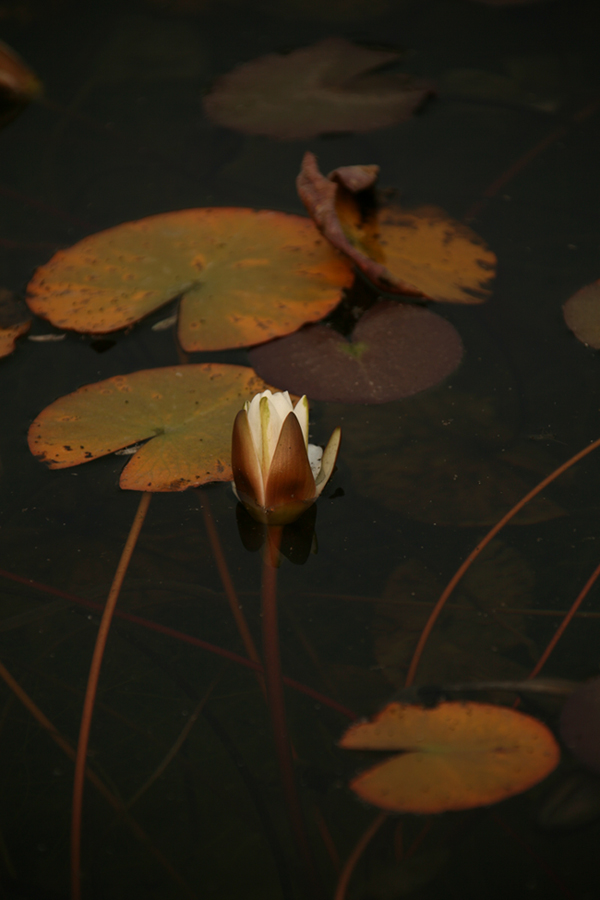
(185, 638)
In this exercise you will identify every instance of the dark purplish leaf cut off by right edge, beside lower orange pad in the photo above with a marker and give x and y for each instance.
(580, 724)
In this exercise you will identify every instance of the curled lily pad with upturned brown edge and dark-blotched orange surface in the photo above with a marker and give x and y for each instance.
(422, 252)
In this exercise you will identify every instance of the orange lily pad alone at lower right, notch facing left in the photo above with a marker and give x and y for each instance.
(454, 756)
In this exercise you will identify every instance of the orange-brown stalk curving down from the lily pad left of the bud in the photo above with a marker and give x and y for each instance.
(90, 694)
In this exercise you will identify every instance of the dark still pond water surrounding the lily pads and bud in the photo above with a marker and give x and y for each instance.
(511, 142)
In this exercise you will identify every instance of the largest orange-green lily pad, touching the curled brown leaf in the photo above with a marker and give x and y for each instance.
(244, 276)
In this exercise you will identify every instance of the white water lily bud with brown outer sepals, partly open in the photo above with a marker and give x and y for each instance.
(277, 473)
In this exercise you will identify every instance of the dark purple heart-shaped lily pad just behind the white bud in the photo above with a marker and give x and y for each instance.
(396, 350)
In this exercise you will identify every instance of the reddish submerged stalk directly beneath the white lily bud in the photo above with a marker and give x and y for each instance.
(276, 700)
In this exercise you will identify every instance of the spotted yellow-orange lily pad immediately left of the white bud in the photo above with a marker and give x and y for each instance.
(187, 411)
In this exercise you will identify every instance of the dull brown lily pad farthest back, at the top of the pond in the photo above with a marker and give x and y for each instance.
(330, 86)
